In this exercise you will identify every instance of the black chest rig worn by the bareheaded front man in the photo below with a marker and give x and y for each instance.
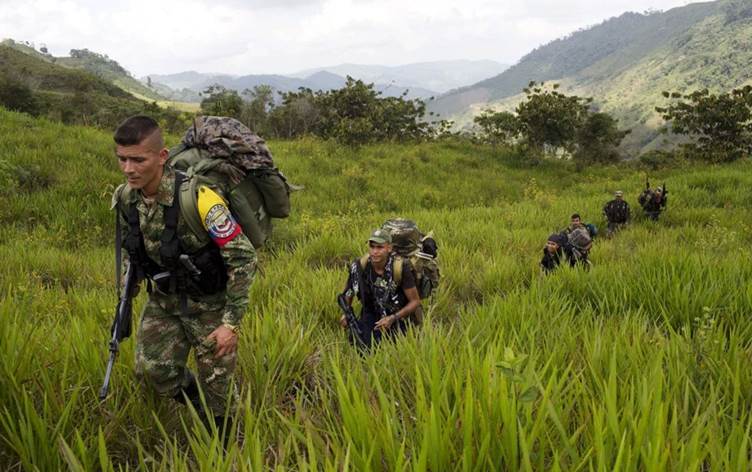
(196, 274)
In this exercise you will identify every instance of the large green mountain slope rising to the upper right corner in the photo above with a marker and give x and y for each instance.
(626, 62)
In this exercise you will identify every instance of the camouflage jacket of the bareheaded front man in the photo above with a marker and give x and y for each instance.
(238, 253)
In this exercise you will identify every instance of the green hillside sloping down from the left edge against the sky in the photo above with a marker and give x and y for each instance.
(98, 64)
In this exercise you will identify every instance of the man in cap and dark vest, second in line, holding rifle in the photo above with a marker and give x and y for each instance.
(385, 285)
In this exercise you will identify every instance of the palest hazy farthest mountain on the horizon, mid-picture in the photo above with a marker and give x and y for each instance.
(440, 76)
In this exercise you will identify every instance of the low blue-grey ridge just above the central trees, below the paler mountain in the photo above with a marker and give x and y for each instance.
(197, 82)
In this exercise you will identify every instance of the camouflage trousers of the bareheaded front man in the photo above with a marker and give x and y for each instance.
(164, 340)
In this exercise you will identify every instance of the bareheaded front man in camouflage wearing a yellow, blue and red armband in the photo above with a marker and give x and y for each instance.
(197, 294)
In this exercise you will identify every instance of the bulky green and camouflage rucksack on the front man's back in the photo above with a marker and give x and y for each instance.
(221, 152)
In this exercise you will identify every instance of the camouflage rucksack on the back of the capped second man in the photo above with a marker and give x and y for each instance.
(420, 249)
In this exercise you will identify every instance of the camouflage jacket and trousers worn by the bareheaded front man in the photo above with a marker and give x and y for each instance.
(167, 332)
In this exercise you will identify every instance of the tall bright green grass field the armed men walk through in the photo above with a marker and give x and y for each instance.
(640, 364)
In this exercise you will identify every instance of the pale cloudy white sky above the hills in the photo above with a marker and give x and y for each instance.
(267, 36)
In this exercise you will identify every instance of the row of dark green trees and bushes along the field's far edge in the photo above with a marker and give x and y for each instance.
(547, 122)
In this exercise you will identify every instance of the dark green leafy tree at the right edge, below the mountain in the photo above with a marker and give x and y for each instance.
(719, 124)
